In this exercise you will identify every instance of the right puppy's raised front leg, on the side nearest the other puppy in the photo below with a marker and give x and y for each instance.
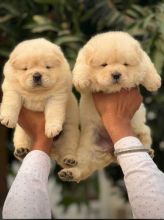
(81, 76)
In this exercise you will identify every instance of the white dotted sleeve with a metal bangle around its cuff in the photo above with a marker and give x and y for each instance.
(143, 180)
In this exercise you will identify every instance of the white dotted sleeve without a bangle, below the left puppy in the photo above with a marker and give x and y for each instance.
(28, 196)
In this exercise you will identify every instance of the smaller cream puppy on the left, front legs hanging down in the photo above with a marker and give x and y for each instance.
(38, 77)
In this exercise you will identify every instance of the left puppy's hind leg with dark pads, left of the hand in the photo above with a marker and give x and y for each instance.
(22, 143)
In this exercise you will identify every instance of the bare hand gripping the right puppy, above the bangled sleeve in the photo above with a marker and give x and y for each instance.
(116, 111)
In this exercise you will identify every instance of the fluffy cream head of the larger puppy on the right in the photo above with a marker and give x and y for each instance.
(109, 62)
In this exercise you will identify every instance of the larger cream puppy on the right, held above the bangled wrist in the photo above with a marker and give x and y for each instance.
(108, 62)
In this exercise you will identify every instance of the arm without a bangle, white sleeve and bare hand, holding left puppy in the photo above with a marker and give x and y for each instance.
(28, 195)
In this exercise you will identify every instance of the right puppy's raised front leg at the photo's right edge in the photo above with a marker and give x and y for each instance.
(151, 80)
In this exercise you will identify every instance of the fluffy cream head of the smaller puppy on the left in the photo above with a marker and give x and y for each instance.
(36, 64)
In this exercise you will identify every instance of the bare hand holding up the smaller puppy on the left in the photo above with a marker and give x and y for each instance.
(34, 125)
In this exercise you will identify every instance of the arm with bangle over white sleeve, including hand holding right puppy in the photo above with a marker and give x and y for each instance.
(144, 181)
